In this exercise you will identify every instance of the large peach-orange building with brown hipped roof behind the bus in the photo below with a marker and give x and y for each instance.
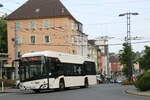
(44, 25)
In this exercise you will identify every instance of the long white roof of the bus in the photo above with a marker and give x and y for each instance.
(63, 57)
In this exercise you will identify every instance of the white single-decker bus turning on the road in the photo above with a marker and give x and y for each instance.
(53, 70)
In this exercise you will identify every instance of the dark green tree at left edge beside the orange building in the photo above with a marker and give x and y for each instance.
(3, 35)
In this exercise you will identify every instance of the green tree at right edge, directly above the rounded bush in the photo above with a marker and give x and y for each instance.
(144, 61)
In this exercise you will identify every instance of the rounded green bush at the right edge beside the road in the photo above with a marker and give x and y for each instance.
(143, 81)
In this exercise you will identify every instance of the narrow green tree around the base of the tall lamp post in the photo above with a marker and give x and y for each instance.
(126, 58)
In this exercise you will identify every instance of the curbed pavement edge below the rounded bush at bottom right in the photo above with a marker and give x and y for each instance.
(137, 92)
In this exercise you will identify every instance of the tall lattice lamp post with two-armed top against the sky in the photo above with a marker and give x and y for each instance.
(128, 39)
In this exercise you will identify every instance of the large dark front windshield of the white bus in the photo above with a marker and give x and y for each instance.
(32, 68)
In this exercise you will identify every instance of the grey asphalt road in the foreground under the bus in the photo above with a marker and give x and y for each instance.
(97, 92)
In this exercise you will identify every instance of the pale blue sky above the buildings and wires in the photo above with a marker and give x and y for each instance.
(100, 18)
